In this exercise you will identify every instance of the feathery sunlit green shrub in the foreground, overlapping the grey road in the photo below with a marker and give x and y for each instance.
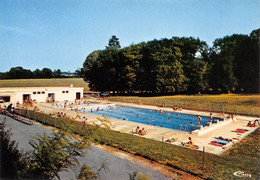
(54, 153)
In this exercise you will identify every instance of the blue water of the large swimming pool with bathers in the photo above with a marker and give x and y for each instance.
(179, 121)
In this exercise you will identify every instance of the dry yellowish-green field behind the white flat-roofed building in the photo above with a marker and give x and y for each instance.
(77, 82)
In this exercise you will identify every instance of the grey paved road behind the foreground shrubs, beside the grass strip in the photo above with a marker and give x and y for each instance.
(119, 168)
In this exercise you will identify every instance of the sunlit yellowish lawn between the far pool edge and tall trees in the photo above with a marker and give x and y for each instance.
(229, 103)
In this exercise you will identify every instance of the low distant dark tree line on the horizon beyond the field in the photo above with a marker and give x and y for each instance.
(21, 73)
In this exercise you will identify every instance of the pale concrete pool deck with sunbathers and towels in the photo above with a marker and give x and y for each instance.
(157, 133)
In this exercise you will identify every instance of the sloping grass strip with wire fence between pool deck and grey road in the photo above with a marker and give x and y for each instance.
(195, 162)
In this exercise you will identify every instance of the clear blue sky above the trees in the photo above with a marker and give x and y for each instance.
(60, 34)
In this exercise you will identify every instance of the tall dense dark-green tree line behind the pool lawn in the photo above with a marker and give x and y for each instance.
(176, 65)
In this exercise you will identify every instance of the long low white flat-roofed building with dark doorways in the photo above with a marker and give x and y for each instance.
(40, 94)
